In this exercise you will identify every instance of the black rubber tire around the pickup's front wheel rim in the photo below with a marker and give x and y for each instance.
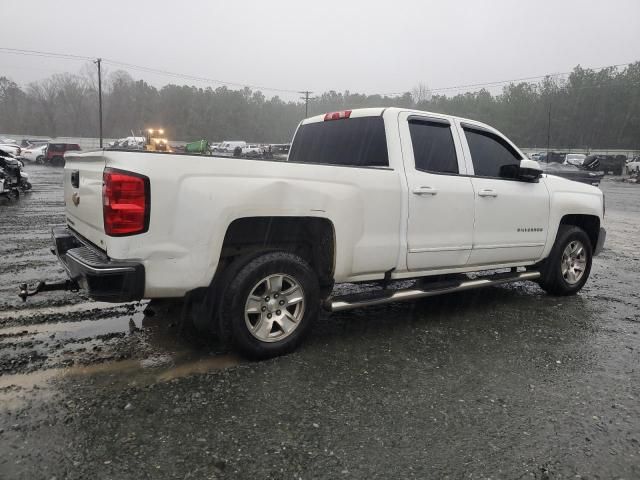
(553, 281)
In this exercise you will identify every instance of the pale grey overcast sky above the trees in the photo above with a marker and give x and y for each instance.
(357, 45)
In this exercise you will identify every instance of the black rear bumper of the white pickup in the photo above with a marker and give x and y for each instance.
(104, 279)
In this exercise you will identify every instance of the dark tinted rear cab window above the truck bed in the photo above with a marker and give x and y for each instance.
(355, 142)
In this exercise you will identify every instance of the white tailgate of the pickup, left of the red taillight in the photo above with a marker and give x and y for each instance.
(83, 194)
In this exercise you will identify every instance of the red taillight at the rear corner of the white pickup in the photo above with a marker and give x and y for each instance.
(125, 203)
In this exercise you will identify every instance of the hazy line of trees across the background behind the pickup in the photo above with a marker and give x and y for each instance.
(598, 109)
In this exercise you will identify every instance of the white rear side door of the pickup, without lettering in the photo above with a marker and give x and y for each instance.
(440, 203)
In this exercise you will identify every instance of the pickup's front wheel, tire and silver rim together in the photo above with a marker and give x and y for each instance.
(567, 268)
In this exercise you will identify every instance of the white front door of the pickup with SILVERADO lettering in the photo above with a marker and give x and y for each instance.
(511, 216)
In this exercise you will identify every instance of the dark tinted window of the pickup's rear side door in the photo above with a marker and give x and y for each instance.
(433, 147)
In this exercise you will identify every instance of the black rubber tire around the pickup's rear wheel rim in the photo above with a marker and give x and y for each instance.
(240, 282)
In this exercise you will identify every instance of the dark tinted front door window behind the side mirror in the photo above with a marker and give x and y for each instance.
(491, 155)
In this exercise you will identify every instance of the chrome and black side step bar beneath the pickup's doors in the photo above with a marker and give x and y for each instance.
(380, 297)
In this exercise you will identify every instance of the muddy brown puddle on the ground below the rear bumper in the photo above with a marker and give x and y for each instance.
(169, 355)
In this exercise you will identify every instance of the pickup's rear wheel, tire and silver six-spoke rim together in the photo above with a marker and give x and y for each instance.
(270, 304)
